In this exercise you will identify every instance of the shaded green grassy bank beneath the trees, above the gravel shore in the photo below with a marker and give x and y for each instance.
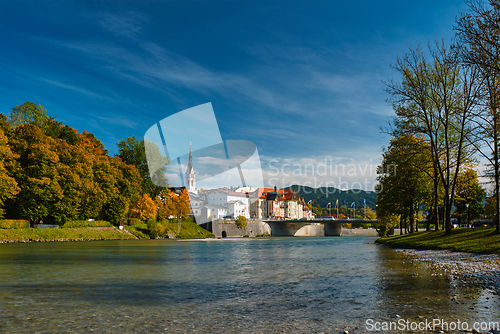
(475, 240)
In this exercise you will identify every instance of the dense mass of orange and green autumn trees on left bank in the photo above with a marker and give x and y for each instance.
(61, 174)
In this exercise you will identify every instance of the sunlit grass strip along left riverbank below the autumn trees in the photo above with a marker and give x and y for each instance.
(62, 234)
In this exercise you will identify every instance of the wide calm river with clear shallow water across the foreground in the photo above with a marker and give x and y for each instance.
(258, 285)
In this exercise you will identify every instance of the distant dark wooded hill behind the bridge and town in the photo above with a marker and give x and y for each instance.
(325, 195)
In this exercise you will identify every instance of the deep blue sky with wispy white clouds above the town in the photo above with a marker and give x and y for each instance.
(300, 79)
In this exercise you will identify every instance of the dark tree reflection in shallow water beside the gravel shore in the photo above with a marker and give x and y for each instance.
(410, 291)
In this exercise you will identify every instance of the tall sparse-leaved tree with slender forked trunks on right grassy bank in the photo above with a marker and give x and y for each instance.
(438, 98)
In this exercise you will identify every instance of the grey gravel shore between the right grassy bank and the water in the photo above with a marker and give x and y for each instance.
(466, 268)
